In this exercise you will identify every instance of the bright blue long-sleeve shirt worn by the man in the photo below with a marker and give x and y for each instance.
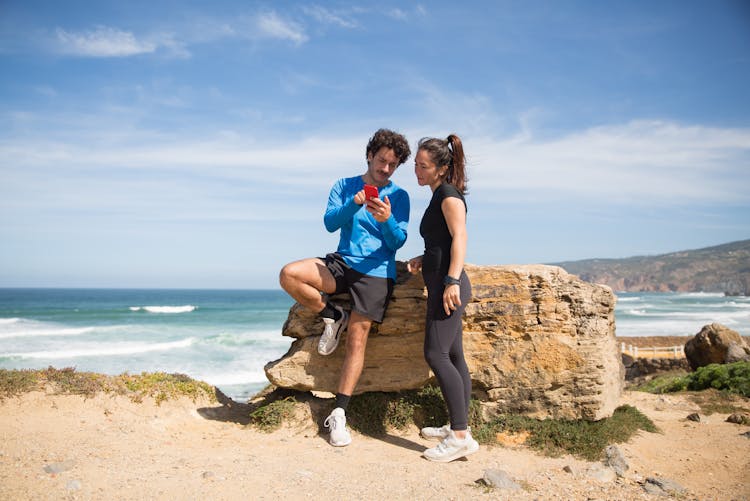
(365, 244)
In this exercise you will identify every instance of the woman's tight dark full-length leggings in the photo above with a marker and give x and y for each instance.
(444, 351)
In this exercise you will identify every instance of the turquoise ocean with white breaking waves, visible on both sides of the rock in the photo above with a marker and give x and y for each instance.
(225, 337)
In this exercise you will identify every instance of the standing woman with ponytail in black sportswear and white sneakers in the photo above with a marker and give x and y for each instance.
(440, 164)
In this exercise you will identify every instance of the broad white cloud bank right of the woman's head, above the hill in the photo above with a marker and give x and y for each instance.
(645, 162)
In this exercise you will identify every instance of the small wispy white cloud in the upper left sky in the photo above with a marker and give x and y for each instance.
(103, 41)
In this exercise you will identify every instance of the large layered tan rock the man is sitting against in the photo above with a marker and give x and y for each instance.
(538, 341)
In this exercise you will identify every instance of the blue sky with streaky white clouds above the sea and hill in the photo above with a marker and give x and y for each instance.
(193, 144)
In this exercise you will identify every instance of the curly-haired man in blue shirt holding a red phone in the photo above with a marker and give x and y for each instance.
(371, 229)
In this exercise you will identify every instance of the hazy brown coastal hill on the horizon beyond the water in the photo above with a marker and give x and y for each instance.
(723, 268)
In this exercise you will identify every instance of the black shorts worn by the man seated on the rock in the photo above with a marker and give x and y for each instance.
(370, 295)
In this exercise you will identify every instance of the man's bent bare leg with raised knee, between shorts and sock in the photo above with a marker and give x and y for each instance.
(304, 280)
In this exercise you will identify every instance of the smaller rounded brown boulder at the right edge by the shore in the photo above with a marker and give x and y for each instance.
(715, 344)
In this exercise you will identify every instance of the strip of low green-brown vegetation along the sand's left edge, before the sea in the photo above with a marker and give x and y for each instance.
(157, 385)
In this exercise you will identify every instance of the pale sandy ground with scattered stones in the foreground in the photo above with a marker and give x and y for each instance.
(111, 448)
